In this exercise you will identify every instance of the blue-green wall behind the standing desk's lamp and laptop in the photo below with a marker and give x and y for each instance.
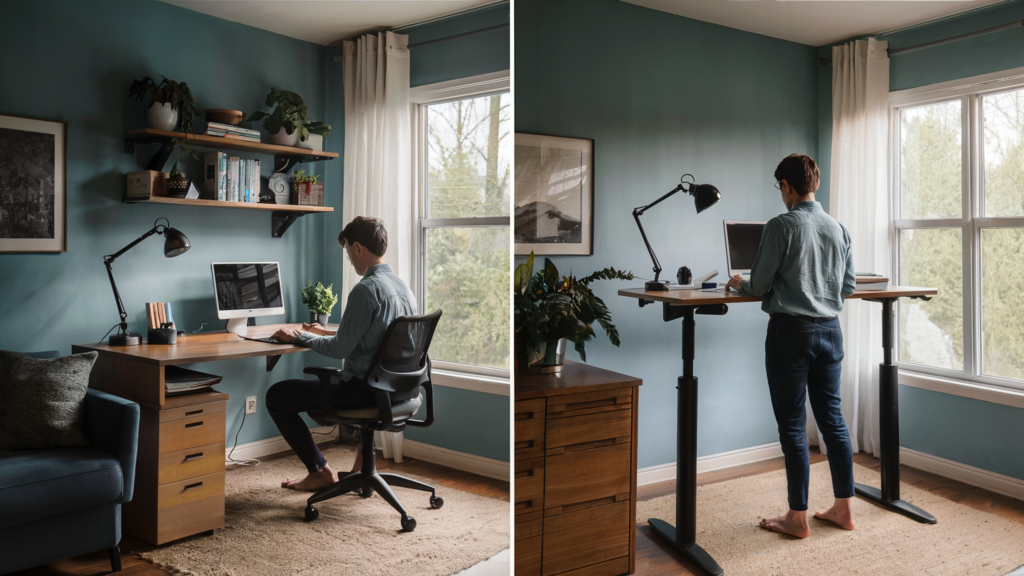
(662, 96)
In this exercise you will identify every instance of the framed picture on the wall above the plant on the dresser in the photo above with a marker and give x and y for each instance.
(554, 195)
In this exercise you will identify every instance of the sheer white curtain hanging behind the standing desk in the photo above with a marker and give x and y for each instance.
(859, 199)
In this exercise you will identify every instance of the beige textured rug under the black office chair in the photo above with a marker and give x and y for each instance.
(266, 533)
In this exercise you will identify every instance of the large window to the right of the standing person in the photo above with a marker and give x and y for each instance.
(958, 164)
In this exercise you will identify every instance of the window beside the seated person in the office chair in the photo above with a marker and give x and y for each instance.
(464, 174)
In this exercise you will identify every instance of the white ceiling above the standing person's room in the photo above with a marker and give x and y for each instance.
(816, 23)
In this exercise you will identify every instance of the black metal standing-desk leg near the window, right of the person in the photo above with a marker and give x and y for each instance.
(888, 497)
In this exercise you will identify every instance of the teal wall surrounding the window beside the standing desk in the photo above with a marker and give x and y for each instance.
(959, 429)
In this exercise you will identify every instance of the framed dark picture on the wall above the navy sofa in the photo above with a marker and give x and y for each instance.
(33, 185)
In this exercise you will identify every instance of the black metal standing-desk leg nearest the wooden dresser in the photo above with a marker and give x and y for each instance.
(682, 538)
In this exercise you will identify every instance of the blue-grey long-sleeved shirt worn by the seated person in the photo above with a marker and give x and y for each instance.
(373, 305)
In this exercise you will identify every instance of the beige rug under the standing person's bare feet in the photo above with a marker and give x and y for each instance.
(965, 542)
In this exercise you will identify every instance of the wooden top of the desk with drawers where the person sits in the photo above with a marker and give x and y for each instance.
(208, 347)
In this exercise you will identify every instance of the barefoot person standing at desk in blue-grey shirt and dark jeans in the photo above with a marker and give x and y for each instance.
(803, 268)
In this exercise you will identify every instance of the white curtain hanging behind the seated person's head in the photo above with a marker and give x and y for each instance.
(378, 157)
